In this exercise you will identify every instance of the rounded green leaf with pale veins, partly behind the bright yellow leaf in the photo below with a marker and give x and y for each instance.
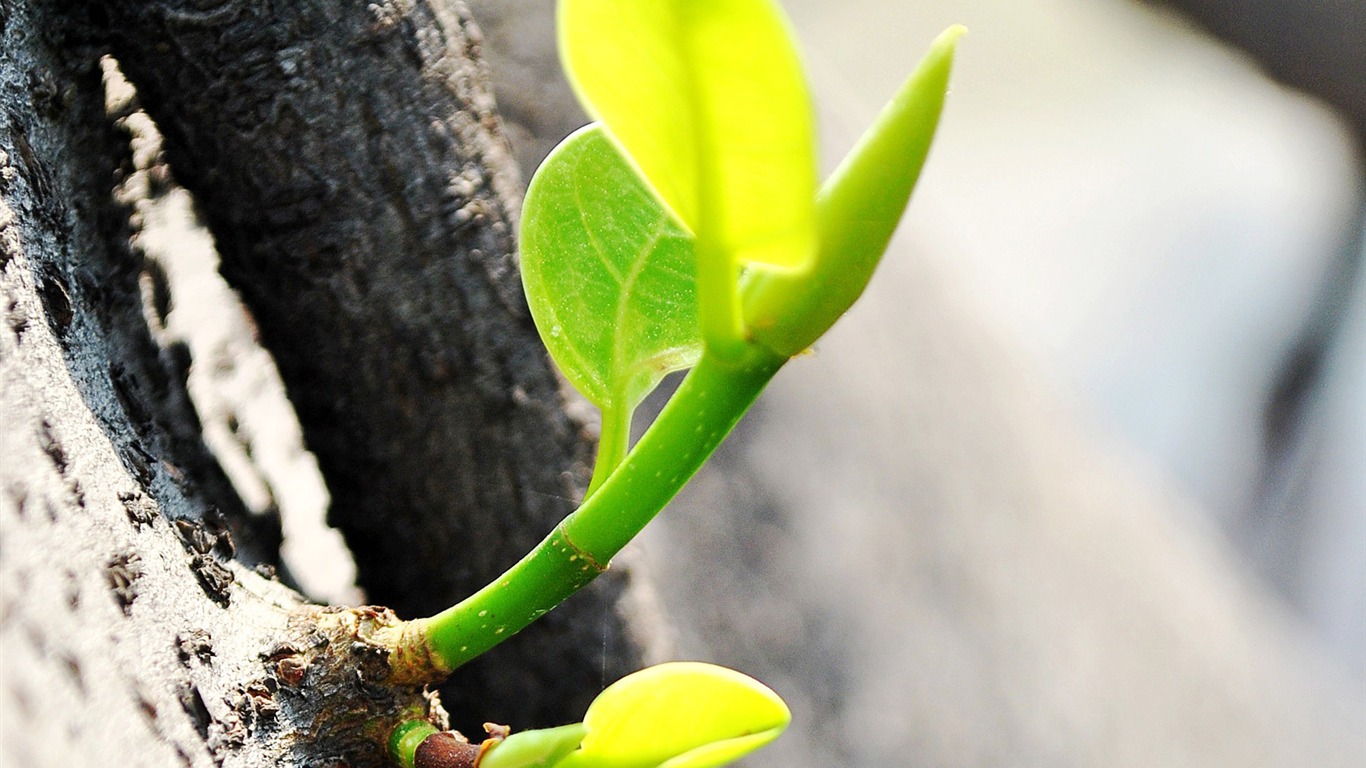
(609, 274)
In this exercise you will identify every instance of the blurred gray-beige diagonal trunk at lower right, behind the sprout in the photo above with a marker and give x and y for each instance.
(969, 580)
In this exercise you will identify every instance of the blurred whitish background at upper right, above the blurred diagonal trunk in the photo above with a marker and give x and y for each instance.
(1154, 223)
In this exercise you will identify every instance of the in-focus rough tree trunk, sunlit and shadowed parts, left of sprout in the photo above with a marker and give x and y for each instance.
(350, 166)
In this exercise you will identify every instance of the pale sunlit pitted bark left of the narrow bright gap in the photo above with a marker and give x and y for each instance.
(132, 629)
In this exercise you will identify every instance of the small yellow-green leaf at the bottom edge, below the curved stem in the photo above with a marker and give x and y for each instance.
(680, 715)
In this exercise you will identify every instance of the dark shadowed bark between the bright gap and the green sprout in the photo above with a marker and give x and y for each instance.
(350, 165)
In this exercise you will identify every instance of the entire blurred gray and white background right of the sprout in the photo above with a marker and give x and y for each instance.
(1083, 482)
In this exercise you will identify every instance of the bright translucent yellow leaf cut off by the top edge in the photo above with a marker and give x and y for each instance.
(710, 100)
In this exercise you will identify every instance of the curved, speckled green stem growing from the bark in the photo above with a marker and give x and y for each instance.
(707, 407)
